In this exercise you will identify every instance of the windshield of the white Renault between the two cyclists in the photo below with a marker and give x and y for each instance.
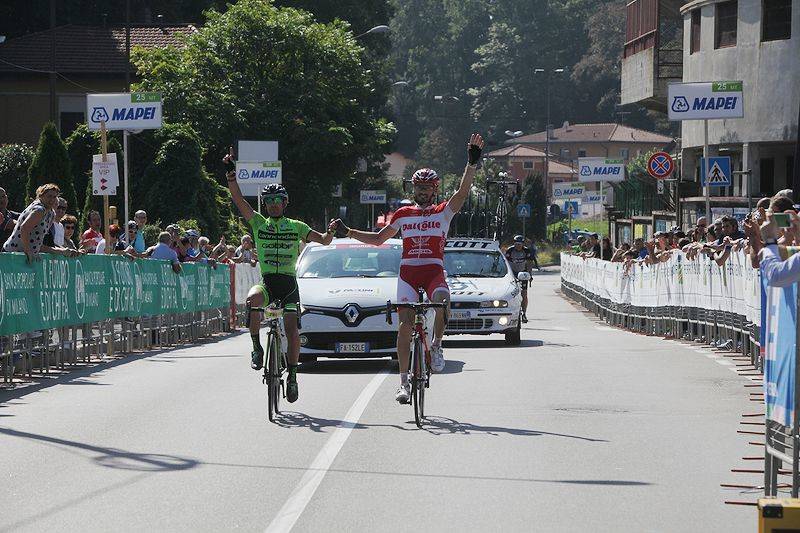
(350, 261)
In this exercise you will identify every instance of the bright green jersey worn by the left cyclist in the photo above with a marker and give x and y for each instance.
(278, 243)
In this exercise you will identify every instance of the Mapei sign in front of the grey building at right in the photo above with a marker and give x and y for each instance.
(709, 100)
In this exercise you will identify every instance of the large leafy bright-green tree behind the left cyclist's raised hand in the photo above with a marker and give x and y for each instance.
(260, 72)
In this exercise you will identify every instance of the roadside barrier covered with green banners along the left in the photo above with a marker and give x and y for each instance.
(58, 310)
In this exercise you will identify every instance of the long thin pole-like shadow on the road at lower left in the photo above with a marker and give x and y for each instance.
(112, 457)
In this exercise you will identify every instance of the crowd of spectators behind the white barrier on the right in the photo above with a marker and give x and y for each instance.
(716, 241)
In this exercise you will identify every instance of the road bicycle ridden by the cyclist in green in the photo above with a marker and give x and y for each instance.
(275, 357)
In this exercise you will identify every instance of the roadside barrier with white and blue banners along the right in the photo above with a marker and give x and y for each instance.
(729, 307)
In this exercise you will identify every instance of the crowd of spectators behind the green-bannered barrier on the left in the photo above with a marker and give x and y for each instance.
(45, 226)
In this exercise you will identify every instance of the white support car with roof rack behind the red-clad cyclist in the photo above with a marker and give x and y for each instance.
(485, 295)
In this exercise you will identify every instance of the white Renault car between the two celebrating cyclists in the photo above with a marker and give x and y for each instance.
(343, 292)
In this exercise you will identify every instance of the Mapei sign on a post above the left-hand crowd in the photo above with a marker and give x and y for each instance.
(124, 111)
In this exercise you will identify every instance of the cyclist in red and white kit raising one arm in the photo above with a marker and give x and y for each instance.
(424, 227)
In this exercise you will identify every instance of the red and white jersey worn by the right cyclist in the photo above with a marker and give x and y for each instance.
(424, 232)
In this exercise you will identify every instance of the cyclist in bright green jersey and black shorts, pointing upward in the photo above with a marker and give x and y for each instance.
(277, 241)
